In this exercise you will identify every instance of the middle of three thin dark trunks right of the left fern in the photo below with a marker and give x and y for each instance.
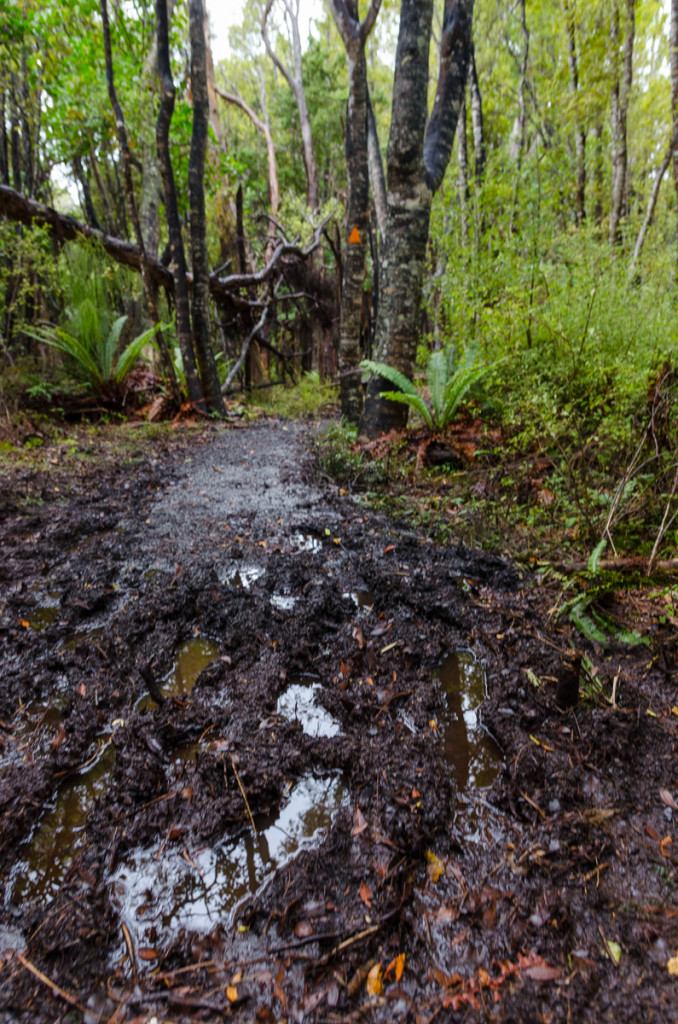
(184, 331)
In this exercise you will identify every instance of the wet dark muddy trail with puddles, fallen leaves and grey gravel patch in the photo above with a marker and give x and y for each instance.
(267, 755)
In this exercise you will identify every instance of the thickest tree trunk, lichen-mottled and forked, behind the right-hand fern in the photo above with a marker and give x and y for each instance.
(418, 156)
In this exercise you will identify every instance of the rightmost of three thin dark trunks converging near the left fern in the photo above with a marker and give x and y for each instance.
(201, 272)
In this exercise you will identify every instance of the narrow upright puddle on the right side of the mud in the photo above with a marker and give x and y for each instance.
(471, 751)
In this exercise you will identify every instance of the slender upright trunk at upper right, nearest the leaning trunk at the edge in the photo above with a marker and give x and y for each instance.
(621, 93)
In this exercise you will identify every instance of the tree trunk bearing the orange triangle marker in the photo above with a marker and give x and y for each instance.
(355, 35)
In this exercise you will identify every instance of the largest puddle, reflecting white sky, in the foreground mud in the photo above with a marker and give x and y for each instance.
(173, 893)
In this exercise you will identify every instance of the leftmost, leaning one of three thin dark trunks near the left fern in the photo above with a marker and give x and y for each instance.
(149, 288)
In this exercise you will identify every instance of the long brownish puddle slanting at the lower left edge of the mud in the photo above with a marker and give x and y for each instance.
(60, 835)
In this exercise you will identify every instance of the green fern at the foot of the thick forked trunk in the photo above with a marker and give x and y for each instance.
(447, 389)
